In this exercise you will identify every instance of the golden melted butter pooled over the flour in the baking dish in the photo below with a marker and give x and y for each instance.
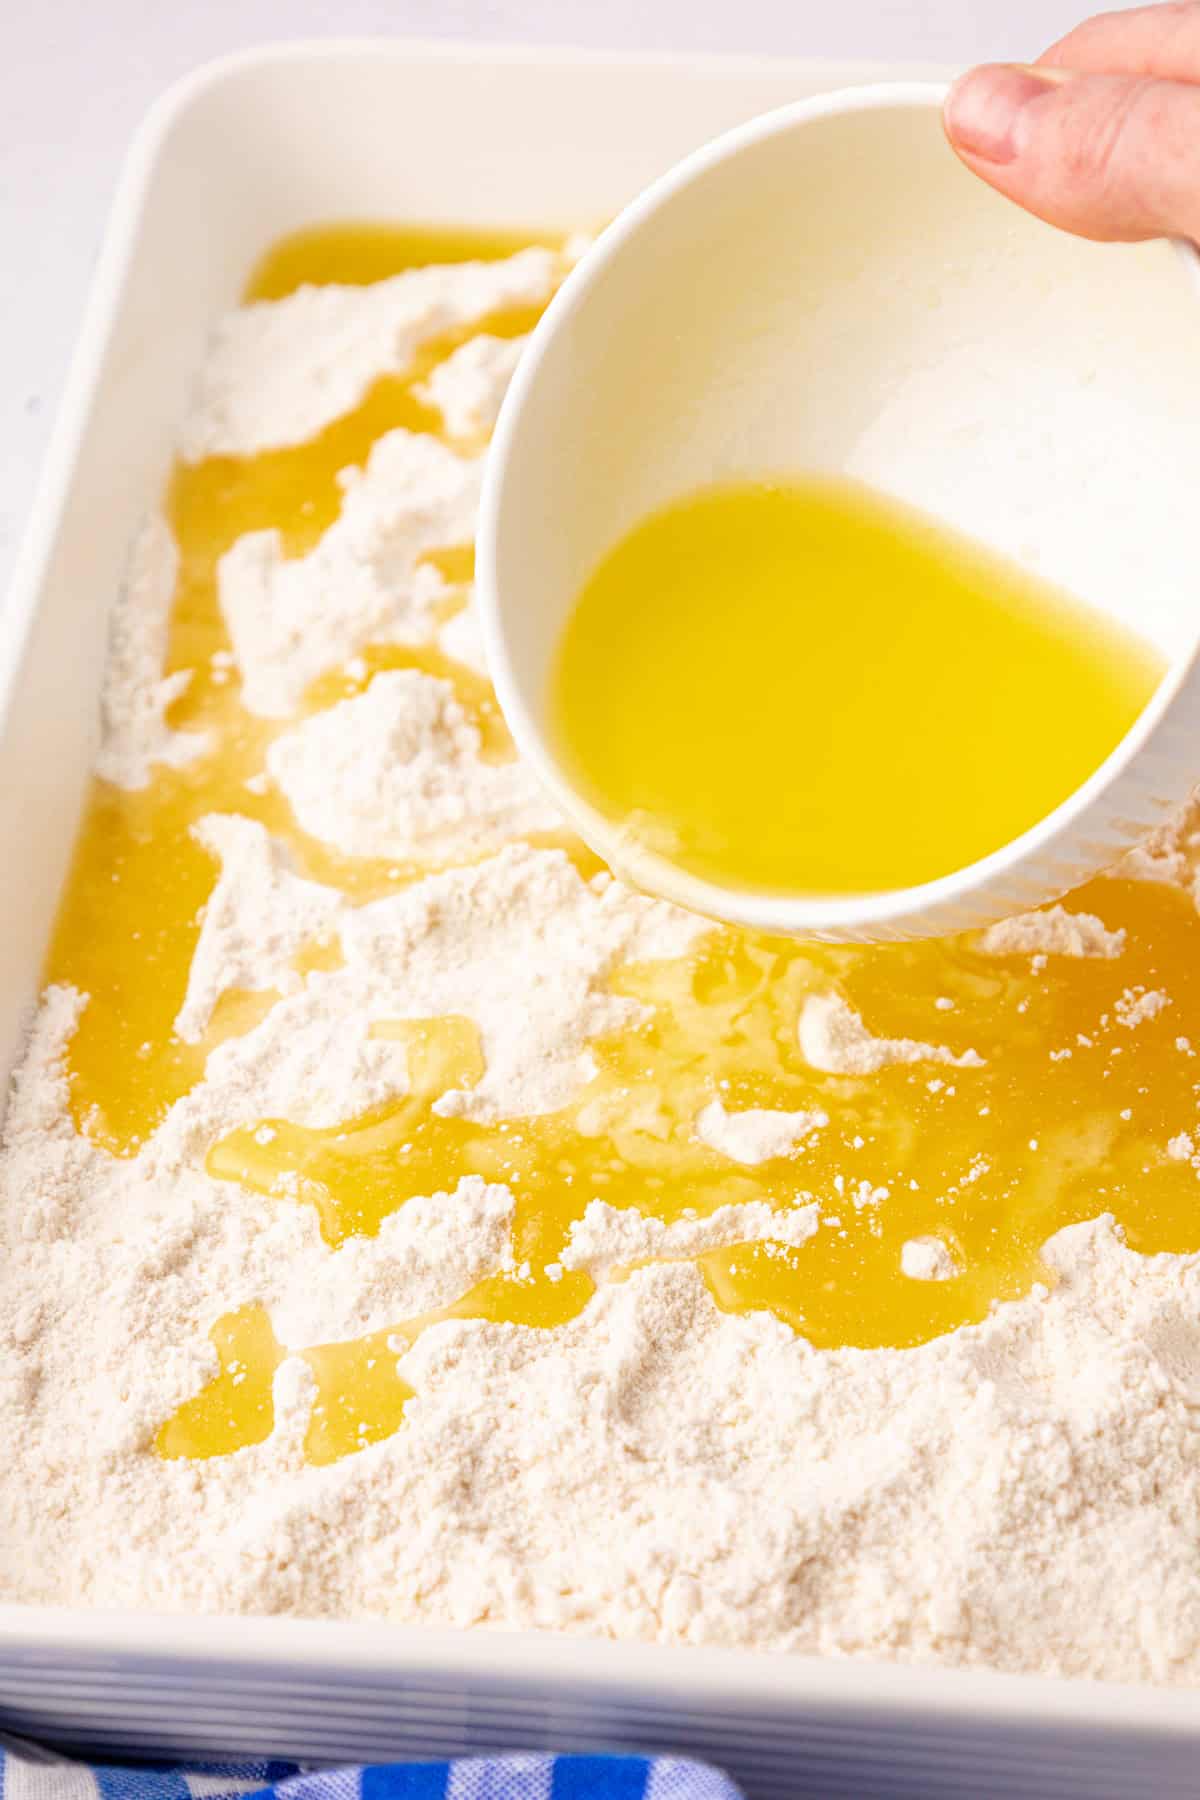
(1068, 1117)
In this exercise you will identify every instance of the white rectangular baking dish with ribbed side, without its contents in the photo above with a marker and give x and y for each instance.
(231, 159)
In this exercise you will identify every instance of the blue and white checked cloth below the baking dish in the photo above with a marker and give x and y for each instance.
(33, 1774)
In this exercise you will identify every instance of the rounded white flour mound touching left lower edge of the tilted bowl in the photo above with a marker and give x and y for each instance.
(399, 773)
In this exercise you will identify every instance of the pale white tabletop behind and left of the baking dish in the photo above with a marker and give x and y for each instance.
(78, 75)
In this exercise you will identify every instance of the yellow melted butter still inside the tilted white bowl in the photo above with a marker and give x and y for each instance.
(807, 688)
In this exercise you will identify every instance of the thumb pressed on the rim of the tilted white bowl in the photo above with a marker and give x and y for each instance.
(1100, 156)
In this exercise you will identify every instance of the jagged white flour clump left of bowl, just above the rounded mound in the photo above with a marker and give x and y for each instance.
(364, 584)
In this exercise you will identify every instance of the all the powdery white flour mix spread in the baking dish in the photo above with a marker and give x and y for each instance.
(1017, 1495)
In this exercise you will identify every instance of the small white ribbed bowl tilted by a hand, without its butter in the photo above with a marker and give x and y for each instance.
(828, 291)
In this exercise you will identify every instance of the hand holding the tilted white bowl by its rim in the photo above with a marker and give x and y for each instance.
(1100, 136)
